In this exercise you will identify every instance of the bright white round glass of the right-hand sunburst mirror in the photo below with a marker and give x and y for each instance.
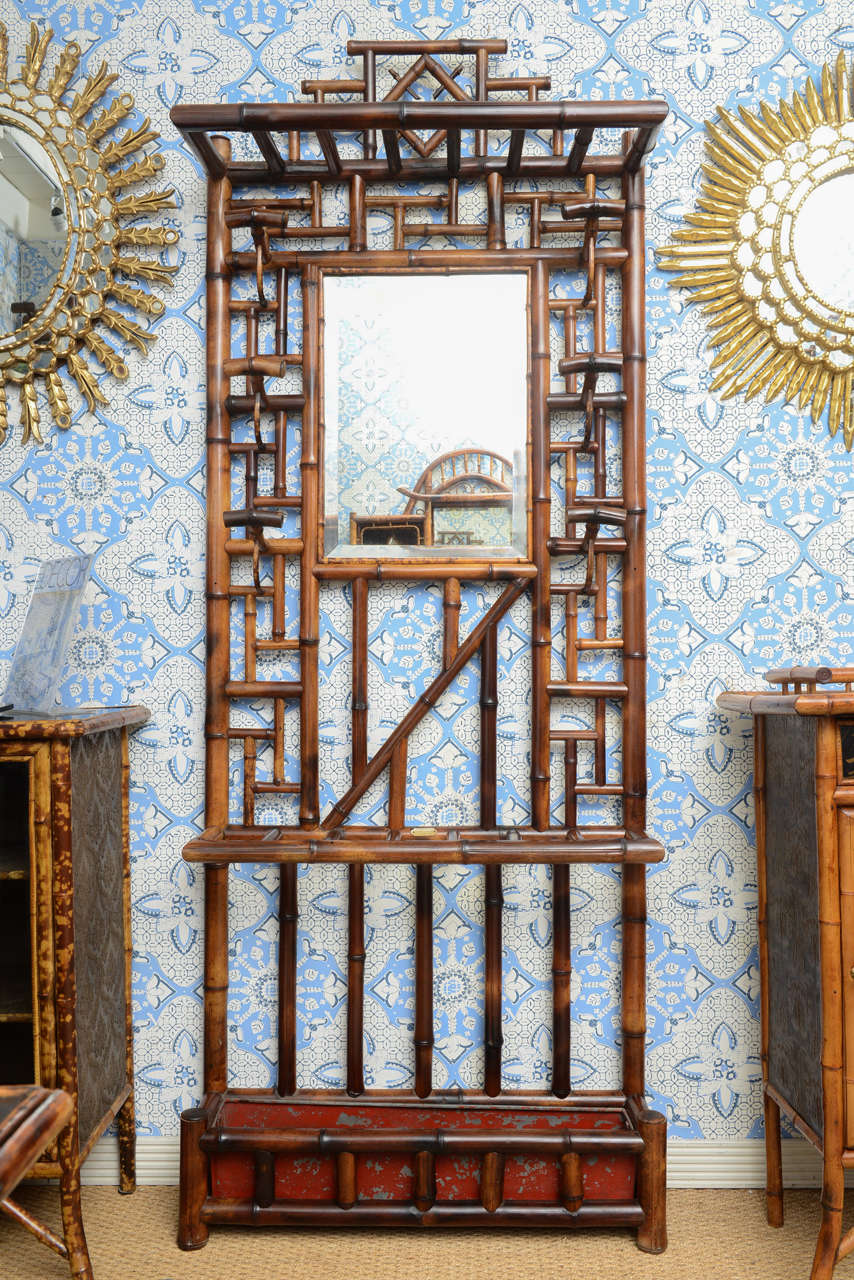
(824, 241)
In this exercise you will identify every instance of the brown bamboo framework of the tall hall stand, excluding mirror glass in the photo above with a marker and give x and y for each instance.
(392, 149)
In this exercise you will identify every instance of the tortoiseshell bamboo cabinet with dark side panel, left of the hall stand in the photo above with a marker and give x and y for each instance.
(66, 941)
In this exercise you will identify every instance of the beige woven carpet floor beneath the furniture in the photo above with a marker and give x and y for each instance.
(714, 1236)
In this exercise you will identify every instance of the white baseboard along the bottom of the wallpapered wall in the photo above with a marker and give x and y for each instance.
(689, 1164)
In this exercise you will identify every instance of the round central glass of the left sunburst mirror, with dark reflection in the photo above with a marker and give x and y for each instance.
(34, 227)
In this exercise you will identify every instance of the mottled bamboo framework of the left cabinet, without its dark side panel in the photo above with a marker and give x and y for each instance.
(53, 868)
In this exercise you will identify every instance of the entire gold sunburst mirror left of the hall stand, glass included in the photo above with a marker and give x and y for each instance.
(71, 232)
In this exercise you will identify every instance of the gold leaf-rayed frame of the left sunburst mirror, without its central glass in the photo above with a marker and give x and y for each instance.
(97, 272)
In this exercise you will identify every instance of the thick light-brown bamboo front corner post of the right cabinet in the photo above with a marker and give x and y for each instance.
(830, 935)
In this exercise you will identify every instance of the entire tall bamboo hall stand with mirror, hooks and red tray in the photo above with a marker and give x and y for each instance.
(391, 158)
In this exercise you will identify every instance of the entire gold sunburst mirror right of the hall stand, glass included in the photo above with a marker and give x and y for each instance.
(769, 250)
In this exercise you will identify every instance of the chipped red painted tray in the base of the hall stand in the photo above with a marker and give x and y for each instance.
(389, 1178)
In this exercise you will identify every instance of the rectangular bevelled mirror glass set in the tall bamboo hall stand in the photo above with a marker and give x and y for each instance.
(426, 417)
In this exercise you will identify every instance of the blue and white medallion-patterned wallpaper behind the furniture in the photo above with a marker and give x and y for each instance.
(751, 564)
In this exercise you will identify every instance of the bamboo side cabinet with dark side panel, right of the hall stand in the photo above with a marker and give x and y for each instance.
(805, 813)
